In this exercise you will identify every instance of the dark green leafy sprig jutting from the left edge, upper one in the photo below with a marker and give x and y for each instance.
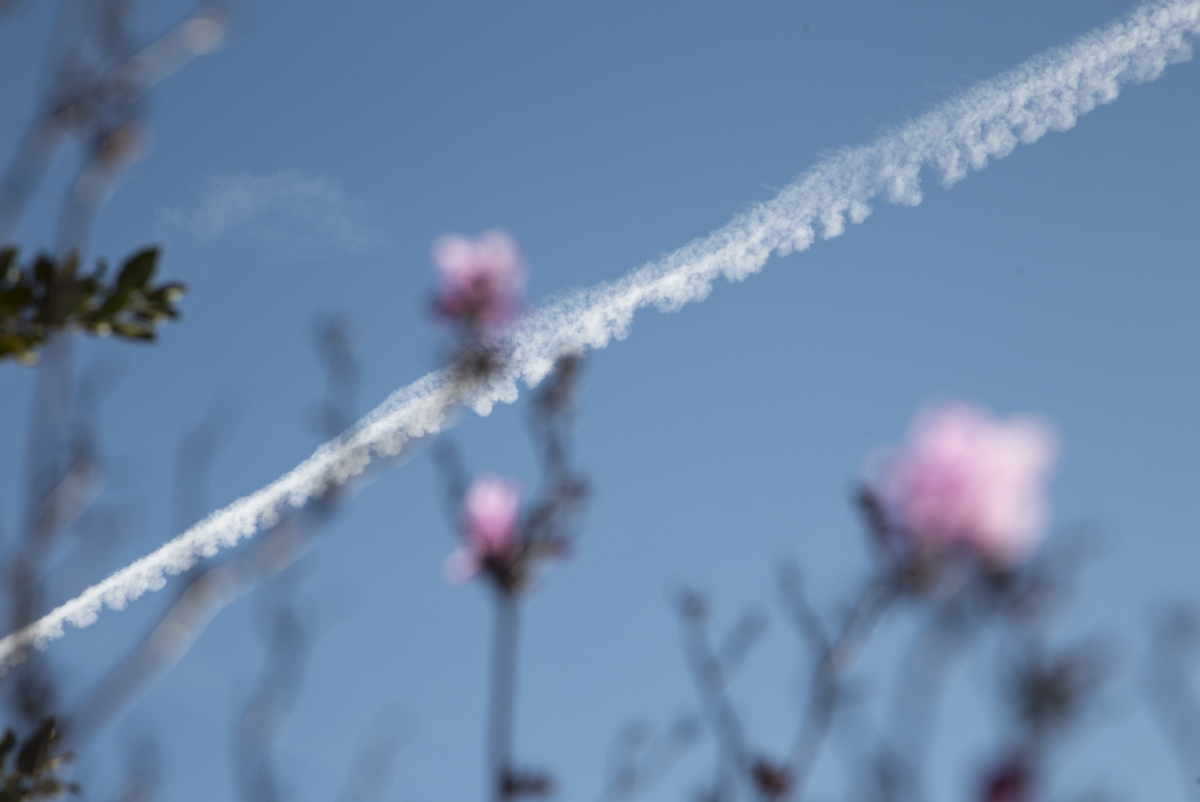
(51, 296)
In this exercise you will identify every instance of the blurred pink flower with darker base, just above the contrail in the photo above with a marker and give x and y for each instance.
(479, 282)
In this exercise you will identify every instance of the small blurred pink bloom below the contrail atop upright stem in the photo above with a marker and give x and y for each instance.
(491, 516)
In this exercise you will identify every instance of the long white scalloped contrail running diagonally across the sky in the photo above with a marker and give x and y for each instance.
(1048, 93)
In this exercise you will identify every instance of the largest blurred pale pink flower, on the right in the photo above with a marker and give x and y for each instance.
(967, 478)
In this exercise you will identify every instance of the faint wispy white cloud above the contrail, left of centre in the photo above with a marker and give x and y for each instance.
(284, 210)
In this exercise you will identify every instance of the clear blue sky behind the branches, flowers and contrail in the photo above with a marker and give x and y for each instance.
(1060, 280)
